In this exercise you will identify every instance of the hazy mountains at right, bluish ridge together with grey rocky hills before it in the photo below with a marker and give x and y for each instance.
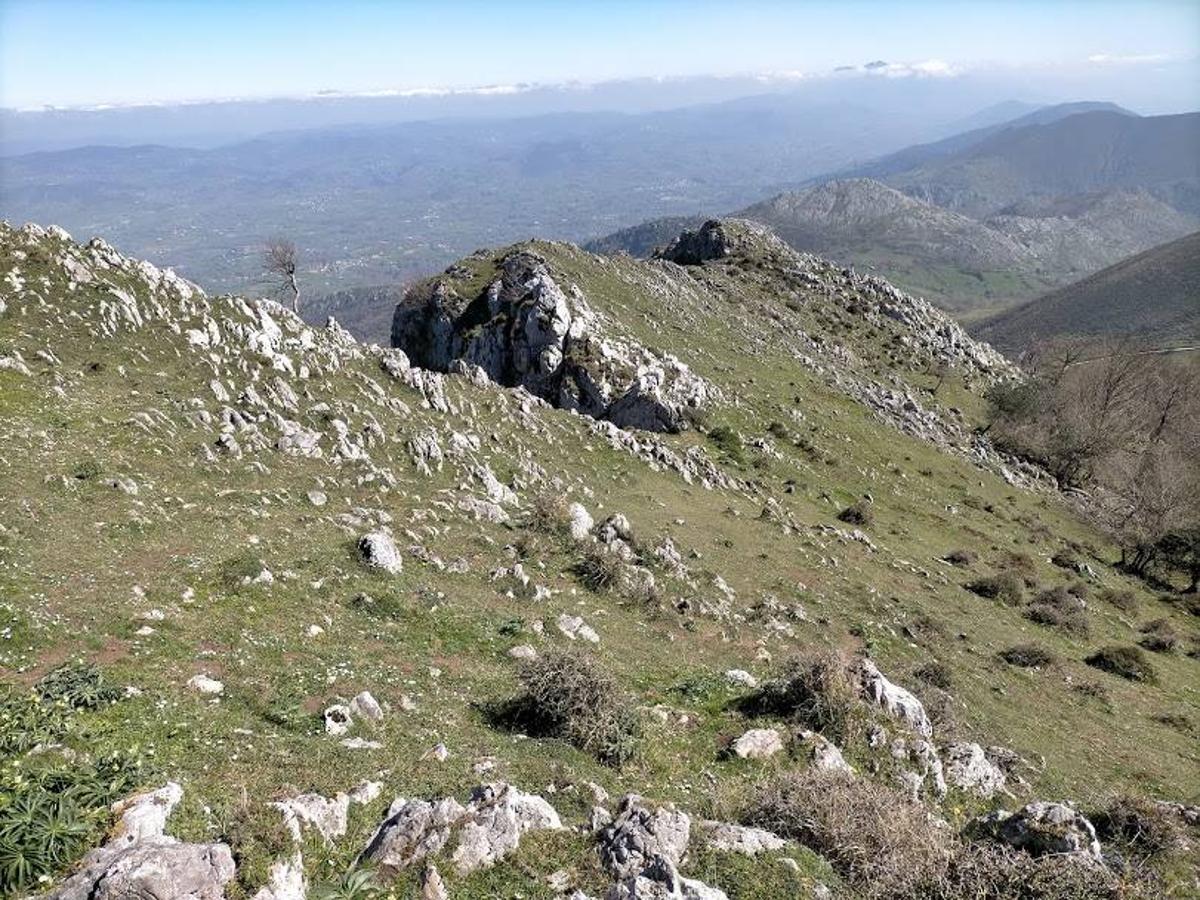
(997, 215)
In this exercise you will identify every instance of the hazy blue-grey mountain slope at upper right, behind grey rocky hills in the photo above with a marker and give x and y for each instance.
(1081, 154)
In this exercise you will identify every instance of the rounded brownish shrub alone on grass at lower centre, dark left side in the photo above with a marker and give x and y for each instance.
(569, 697)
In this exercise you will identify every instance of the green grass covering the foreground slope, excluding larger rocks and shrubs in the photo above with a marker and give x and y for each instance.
(73, 561)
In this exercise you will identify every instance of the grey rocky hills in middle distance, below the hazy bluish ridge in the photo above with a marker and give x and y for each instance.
(959, 263)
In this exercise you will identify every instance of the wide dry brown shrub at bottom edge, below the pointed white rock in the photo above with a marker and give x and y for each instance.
(872, 833)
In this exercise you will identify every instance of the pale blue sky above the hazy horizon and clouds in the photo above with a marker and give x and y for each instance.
(87, 52)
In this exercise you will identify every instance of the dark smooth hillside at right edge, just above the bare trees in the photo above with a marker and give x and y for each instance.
(1154, 297)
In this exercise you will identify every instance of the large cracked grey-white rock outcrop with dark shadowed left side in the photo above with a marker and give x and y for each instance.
(526, 332)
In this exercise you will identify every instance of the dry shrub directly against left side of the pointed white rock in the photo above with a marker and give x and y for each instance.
(819, 689)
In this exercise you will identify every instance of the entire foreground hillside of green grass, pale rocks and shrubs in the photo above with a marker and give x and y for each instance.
(521, 623)
